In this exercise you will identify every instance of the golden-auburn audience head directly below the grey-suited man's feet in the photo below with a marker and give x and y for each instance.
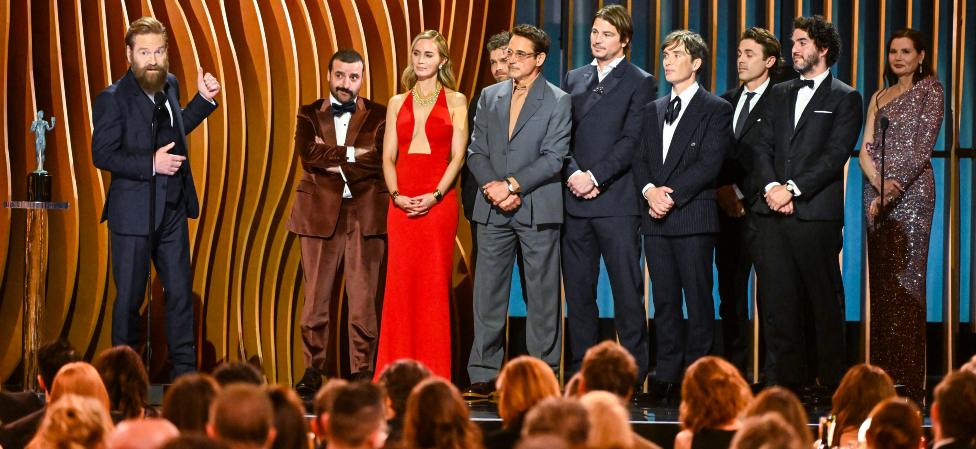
(522, 383)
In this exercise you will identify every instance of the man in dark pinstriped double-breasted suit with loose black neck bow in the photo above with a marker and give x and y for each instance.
(684, 139)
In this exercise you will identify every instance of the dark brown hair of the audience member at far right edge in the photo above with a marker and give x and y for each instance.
(956, 400)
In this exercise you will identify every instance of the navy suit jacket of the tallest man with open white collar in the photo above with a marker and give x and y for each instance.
(606, 129)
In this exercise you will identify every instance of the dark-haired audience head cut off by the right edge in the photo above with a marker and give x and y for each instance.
(954, 411)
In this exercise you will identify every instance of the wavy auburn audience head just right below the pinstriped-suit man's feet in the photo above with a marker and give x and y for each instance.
(713, 394)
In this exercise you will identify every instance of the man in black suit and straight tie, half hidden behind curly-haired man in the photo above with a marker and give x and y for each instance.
(756, 58)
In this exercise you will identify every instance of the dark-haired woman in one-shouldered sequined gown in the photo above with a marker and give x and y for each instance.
(899, 226)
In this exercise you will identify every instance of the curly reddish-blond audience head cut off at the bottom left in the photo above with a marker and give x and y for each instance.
(73, 422)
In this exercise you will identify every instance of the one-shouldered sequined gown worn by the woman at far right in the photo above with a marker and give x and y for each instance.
(898, 241)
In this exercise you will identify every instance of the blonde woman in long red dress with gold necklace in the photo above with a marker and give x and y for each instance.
(423, 151)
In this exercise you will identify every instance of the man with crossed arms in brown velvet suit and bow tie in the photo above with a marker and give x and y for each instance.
(340, 216)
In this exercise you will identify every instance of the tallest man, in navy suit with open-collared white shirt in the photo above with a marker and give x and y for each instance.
(602, 206)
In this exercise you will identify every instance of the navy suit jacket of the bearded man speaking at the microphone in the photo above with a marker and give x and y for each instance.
(122, 122)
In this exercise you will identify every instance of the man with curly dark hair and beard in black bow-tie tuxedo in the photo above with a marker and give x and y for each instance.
(809, 130)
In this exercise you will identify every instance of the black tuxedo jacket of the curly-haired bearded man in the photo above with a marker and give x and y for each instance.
(814, 153)
